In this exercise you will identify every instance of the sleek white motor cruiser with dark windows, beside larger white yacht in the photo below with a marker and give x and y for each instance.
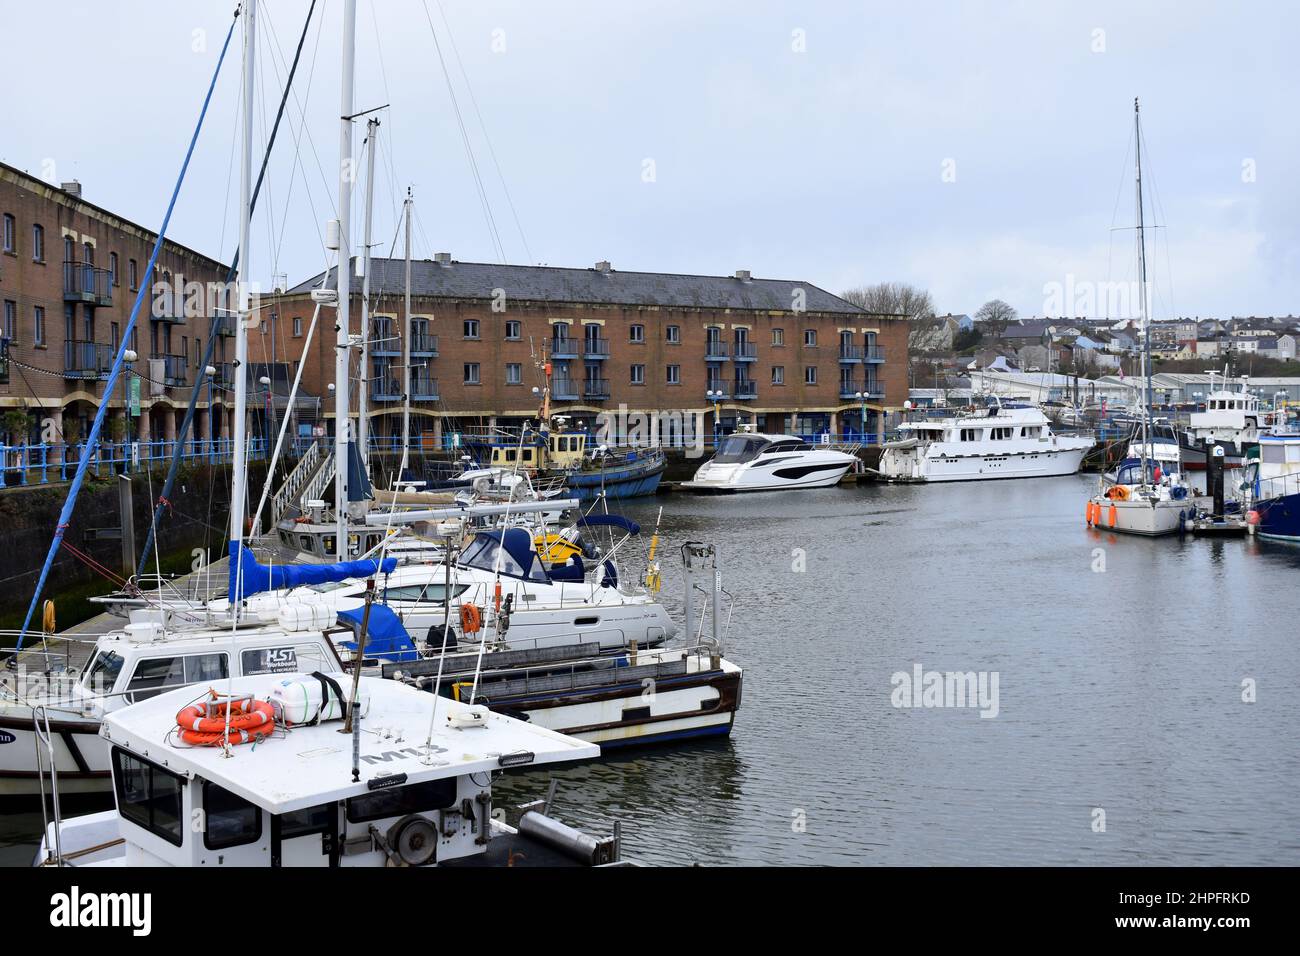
(757, 462)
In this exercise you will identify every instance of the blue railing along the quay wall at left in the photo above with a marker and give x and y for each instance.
(40, 465)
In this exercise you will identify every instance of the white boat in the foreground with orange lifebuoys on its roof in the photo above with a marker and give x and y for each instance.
(410, 788)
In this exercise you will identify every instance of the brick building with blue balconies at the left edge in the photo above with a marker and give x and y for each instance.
(70, 275)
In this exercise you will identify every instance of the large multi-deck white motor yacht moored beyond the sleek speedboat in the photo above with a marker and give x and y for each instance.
(1007, 442)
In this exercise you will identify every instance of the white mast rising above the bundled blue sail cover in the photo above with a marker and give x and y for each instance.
(240, 464)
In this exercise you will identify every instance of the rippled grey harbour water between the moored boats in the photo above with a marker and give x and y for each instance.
(1120, 669)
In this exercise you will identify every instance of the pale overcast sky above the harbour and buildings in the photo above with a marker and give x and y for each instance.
(977, 150)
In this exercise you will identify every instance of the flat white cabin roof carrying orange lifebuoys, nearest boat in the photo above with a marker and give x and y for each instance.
(313, 765)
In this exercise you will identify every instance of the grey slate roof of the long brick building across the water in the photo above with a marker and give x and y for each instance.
(590, 287)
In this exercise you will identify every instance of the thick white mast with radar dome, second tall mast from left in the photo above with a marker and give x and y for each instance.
(343, 352)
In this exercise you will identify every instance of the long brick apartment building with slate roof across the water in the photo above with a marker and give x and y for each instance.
(785, 356)
